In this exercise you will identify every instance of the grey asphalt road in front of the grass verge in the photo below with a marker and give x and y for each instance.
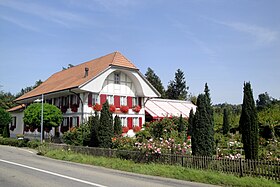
(23, 168)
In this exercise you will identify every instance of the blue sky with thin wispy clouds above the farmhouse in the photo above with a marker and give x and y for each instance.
(223, 43)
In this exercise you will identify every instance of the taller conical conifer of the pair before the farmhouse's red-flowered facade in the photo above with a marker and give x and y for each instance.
(105, 128)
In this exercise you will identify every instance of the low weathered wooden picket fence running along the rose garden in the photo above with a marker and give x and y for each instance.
(240, 167)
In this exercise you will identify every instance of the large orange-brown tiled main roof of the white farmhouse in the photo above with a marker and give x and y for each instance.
(75, 76)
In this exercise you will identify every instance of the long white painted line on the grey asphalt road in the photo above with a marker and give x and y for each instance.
(52, 173)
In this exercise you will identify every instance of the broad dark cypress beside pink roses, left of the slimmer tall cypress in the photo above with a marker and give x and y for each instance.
(203, 126)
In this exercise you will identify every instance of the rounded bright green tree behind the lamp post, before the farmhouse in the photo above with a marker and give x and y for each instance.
(52, 116)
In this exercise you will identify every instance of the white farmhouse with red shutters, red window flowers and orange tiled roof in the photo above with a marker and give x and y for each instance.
(80, 90)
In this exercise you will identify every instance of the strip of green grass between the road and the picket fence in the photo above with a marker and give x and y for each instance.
(168, 171)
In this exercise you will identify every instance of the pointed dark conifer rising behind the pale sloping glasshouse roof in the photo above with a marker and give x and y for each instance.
(177, 89)
